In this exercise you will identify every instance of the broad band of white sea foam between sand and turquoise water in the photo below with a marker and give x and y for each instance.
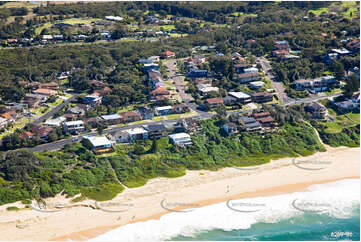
(336, 199)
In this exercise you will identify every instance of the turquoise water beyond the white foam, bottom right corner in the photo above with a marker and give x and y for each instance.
(306, 227)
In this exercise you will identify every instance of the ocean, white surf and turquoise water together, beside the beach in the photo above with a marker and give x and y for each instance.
(324, 212)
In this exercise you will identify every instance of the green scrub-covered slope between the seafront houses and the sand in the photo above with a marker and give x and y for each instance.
(76, 170)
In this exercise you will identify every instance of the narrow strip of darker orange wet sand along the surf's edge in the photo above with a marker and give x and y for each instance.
(291, 188)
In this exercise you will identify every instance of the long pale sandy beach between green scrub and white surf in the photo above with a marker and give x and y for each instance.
(162, 195)
